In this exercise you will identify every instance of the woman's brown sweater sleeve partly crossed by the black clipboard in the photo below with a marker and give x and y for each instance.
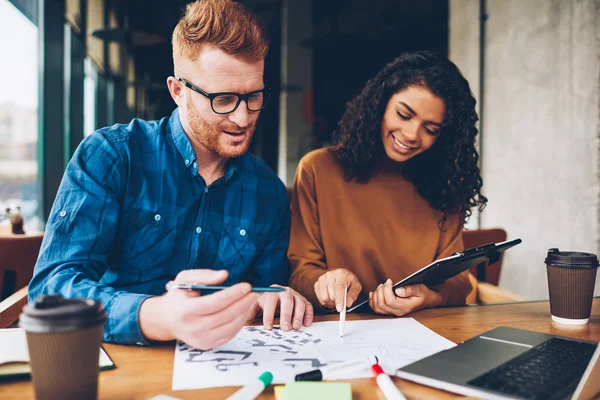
(455, 290)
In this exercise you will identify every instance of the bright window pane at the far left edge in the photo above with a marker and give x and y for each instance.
(18, 116)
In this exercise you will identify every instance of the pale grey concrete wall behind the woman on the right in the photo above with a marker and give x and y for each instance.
(541, 128)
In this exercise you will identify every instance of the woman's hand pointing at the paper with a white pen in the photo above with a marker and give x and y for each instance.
(331, 286)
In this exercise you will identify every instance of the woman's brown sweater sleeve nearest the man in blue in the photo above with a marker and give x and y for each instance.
(305, 253)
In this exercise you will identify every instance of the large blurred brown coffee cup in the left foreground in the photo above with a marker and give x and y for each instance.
(63, 338)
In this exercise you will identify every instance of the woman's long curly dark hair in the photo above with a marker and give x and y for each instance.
(446, 175)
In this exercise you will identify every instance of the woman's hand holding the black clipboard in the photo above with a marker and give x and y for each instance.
(405, 300)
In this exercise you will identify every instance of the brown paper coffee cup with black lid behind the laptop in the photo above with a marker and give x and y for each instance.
(571, 280)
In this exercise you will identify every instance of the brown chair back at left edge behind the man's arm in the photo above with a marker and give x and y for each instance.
(18, 254)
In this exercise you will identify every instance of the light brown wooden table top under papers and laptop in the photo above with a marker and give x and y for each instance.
(143, 372)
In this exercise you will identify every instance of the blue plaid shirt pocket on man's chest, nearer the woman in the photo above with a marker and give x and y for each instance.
(238, 249)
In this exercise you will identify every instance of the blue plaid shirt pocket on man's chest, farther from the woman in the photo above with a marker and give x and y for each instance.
(149, 243)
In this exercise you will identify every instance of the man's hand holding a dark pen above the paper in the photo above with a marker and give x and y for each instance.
(200, 321)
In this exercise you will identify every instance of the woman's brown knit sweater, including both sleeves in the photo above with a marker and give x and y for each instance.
(378, 230)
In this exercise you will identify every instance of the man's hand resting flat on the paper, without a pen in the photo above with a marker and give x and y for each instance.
(294, 309)
